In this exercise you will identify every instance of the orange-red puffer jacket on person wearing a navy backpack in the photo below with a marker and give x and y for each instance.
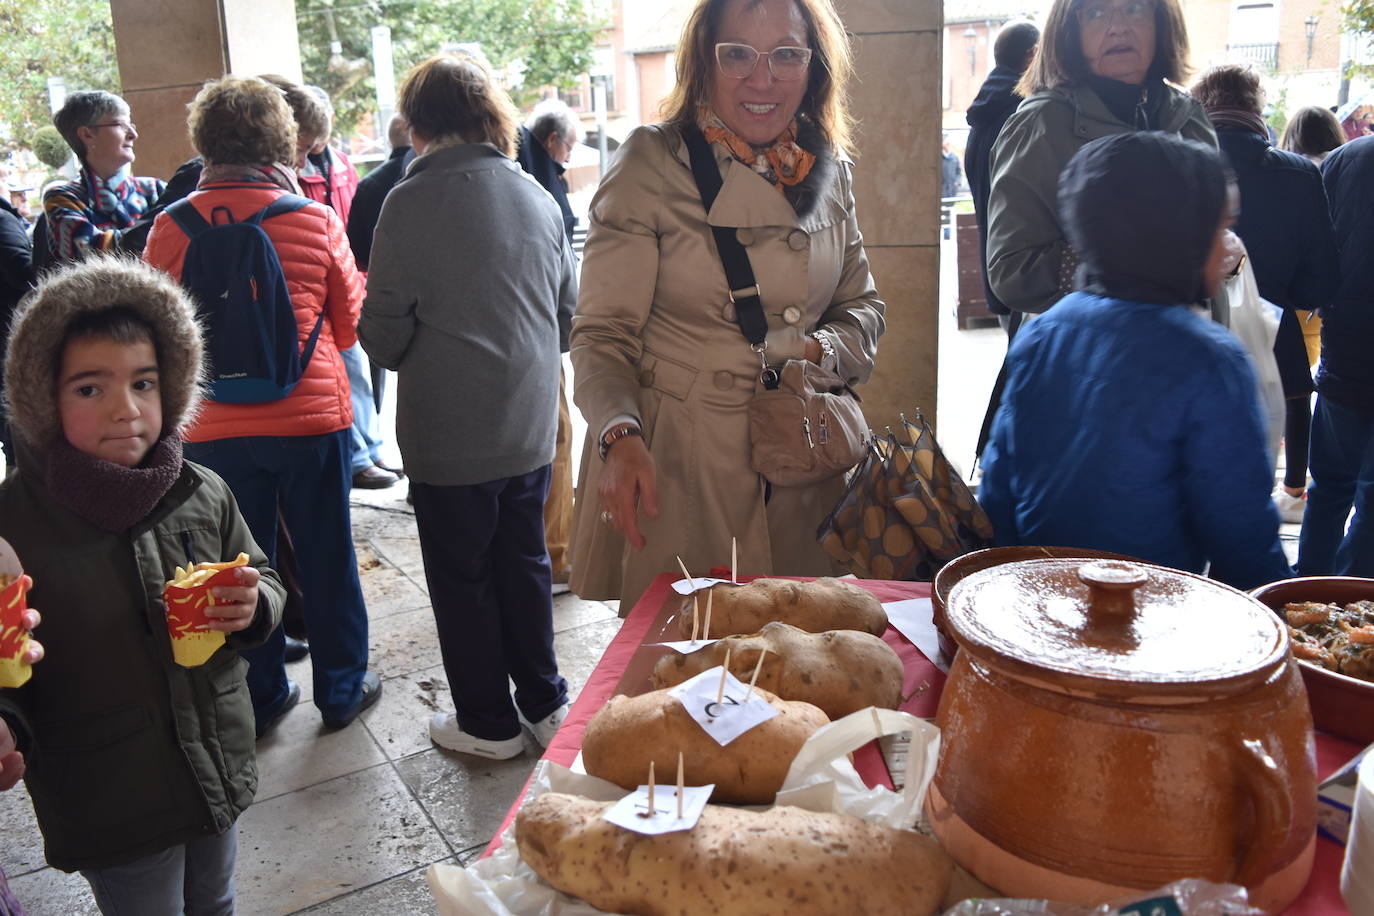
(315, 256)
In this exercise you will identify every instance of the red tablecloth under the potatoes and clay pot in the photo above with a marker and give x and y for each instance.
(626, 661)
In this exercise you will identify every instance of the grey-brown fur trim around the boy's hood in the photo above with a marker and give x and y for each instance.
(41, 326)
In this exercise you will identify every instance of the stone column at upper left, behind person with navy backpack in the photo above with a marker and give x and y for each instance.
(168, 49)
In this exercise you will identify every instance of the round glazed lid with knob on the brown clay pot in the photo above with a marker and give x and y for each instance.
(1116, 628)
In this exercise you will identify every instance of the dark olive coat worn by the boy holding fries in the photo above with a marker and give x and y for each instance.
(127, 752)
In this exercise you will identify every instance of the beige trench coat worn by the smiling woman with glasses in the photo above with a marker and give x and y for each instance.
(655, 339)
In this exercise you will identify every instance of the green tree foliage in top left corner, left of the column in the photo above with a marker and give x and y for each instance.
(41, 39)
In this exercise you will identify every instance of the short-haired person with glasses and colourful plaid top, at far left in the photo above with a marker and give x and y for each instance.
(94, 212)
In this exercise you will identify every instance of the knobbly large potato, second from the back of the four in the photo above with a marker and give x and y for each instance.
(839, 671)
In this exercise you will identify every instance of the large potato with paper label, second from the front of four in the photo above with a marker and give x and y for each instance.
(631, 731)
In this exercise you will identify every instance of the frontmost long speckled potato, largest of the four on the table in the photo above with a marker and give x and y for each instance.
(785, 862)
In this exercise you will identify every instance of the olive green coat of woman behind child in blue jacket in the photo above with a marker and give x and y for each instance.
(1026, 242)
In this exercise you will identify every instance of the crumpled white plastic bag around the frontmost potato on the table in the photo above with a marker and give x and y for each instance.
(821, 779)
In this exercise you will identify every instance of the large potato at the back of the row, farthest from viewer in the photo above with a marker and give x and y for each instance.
(820, 606)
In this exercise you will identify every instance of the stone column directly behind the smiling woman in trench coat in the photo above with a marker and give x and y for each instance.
(897, 101)
